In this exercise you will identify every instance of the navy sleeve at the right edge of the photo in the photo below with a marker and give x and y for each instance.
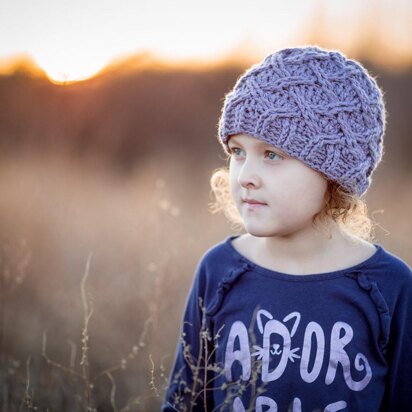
(398, 390)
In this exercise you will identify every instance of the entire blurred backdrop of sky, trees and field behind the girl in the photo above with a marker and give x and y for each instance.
(108, 124)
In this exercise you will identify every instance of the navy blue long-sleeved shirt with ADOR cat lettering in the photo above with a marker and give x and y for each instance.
(257, 339)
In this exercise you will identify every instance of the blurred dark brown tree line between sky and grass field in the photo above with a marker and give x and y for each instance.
(123, 115)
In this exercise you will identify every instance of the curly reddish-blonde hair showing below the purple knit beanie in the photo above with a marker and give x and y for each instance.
(349, 211)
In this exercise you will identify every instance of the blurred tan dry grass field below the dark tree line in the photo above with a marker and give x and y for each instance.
(136, 240)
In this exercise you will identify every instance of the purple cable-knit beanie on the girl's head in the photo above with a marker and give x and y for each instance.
(317, 106)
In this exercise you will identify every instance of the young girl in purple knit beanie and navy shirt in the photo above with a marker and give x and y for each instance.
(302, 312)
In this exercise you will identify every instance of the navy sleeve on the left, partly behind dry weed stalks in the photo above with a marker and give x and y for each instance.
(187, 389)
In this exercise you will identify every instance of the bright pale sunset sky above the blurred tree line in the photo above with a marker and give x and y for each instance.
(74, 39)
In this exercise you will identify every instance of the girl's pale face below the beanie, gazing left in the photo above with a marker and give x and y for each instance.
(290, 192)
